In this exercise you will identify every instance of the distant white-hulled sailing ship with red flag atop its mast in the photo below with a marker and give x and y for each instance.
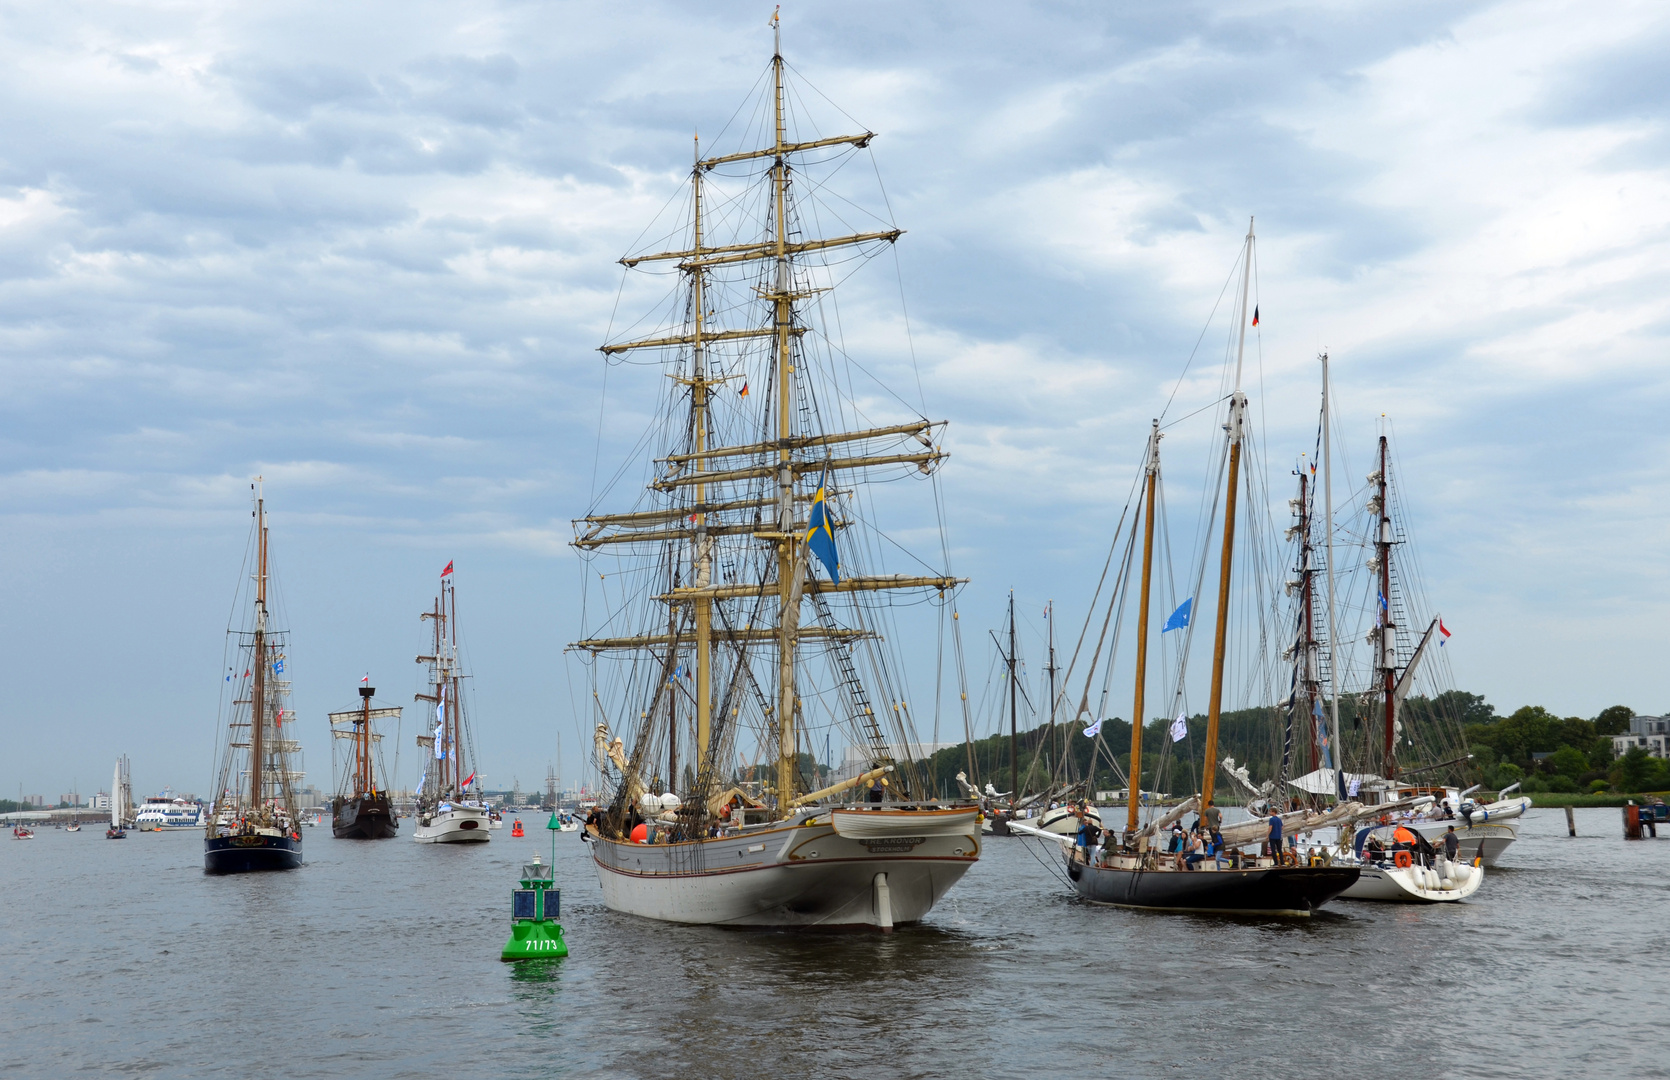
(450, 802)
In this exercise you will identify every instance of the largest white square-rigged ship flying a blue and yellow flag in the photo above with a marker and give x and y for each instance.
(742, 608)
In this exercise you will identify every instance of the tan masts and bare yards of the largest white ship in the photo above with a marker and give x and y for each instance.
(714, 472)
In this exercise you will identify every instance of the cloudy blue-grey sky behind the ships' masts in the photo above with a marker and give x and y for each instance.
(368, 253)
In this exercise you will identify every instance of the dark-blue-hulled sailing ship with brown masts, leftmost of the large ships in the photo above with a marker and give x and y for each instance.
(253, 822)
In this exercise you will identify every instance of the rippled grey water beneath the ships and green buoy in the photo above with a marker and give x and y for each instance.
(382, 961)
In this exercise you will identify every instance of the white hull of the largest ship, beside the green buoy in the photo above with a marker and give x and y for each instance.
(796, 874)
